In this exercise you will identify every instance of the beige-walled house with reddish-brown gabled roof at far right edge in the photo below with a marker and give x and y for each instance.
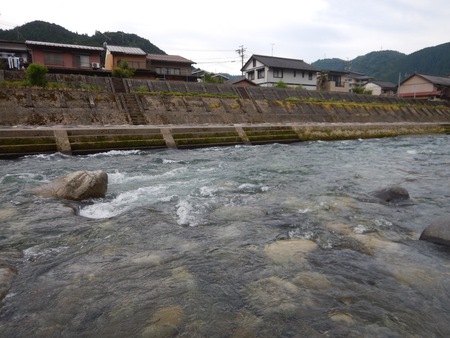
(423, 86)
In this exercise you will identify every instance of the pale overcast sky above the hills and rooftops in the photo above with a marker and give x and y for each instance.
(210, 32)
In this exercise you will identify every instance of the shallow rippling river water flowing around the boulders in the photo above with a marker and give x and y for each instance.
(246, 241)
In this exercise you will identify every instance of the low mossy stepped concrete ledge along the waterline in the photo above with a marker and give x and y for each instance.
(76, 140)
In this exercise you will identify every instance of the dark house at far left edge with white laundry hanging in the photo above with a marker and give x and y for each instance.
(13, 54)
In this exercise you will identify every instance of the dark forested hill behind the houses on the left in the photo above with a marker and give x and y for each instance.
(49, 32)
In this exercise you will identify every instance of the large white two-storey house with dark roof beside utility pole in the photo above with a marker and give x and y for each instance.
(267, 71)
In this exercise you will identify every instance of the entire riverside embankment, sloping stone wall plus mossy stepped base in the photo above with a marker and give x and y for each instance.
(160, 114)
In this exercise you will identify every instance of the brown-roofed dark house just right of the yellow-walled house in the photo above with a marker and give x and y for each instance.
(170, 67)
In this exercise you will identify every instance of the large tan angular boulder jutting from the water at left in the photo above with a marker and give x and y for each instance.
(77, 186)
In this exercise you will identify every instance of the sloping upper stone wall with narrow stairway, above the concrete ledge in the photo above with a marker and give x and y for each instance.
(47, 107)
